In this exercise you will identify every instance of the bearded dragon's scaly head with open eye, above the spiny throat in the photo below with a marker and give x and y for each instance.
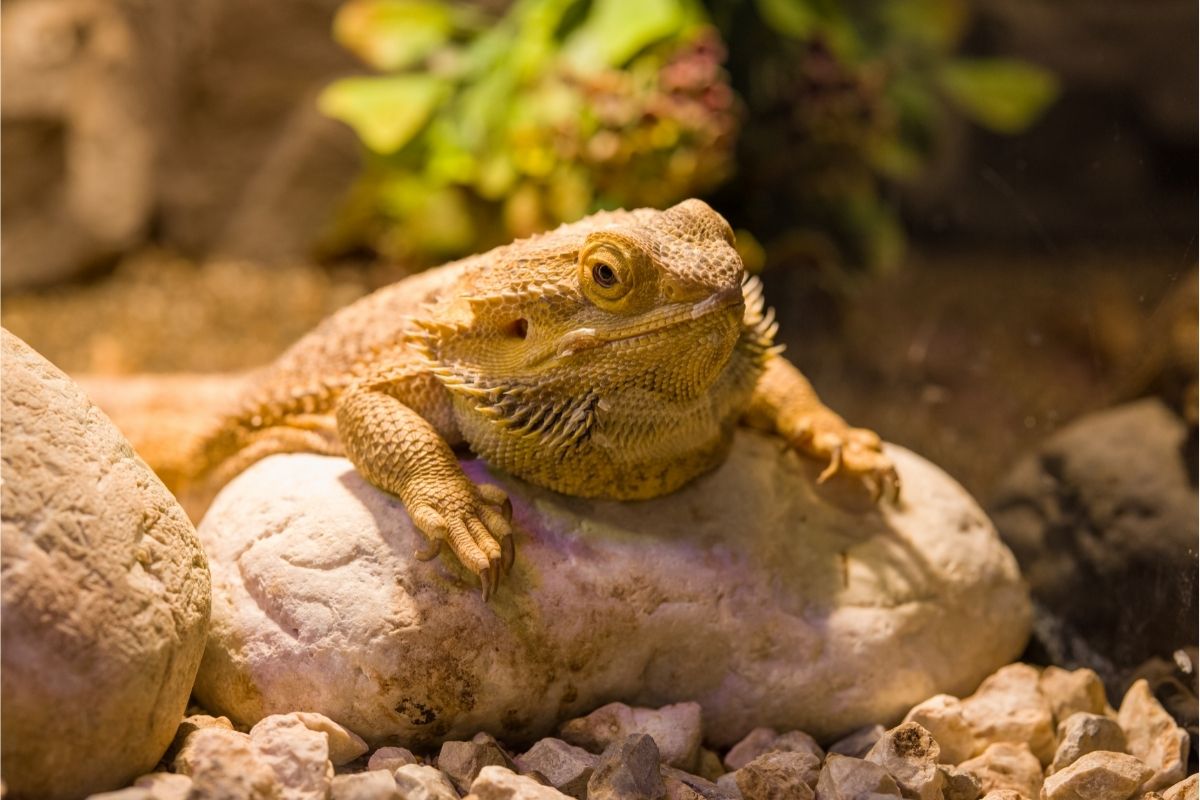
(645, 296)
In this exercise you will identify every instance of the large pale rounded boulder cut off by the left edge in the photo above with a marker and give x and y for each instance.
(105, 593)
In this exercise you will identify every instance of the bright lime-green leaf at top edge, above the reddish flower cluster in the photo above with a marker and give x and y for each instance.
(617, 31)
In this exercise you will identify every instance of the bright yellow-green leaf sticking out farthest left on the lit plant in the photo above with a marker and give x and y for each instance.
(387, 113)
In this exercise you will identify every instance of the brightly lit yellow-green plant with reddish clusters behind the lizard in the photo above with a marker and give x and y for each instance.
(479, 130)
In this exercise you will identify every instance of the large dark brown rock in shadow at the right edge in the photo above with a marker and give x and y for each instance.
(1102, 514)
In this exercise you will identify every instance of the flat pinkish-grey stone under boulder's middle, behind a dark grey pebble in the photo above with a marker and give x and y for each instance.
(676, 730)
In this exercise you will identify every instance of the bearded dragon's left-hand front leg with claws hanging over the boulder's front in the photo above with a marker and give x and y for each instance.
(401, 452)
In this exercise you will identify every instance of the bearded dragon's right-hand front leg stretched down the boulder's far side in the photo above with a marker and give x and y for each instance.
(784, 402)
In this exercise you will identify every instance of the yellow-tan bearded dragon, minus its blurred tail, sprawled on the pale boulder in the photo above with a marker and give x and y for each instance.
(611, 358)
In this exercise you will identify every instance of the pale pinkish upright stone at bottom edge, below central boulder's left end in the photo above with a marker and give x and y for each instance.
(298, 755)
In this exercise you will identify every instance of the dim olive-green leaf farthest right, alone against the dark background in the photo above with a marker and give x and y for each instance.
(1001, 95)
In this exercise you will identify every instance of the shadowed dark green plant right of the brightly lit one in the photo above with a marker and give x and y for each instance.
(847, 100)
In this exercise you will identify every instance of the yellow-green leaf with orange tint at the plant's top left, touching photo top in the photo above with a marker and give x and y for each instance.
(393, 34)
